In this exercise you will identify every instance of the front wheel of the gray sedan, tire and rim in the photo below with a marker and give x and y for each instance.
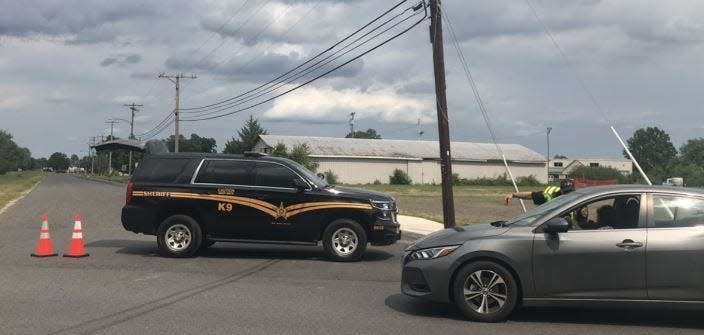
(485, 291)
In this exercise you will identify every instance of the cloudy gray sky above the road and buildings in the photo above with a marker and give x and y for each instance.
(67, 66)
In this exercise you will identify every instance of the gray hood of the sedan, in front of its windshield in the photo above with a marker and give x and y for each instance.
(457, 235)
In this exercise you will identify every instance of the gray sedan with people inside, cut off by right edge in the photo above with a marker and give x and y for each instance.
(624, 244)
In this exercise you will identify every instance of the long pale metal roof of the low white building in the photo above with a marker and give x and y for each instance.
(404, 149)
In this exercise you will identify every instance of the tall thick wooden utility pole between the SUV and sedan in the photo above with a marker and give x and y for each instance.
(448, 204)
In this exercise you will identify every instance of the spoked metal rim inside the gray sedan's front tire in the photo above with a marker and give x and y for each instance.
(485, 291)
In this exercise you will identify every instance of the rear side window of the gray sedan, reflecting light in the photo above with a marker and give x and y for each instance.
(677, 211)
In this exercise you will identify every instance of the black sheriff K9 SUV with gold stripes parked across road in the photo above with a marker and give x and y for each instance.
(190, 201)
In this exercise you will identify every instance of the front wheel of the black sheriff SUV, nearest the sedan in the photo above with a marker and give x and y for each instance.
(344, 240)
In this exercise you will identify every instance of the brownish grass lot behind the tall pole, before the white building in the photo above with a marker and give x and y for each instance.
(473, 204)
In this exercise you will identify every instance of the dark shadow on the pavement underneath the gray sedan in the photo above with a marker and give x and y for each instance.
(653, 317)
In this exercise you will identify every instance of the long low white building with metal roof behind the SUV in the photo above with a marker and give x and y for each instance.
(361, 161)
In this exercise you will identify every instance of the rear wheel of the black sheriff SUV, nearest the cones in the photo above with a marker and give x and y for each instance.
(179, 236)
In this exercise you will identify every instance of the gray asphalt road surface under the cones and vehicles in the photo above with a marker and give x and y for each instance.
(123, 287)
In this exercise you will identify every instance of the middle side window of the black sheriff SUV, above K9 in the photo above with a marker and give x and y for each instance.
(230, 172)
